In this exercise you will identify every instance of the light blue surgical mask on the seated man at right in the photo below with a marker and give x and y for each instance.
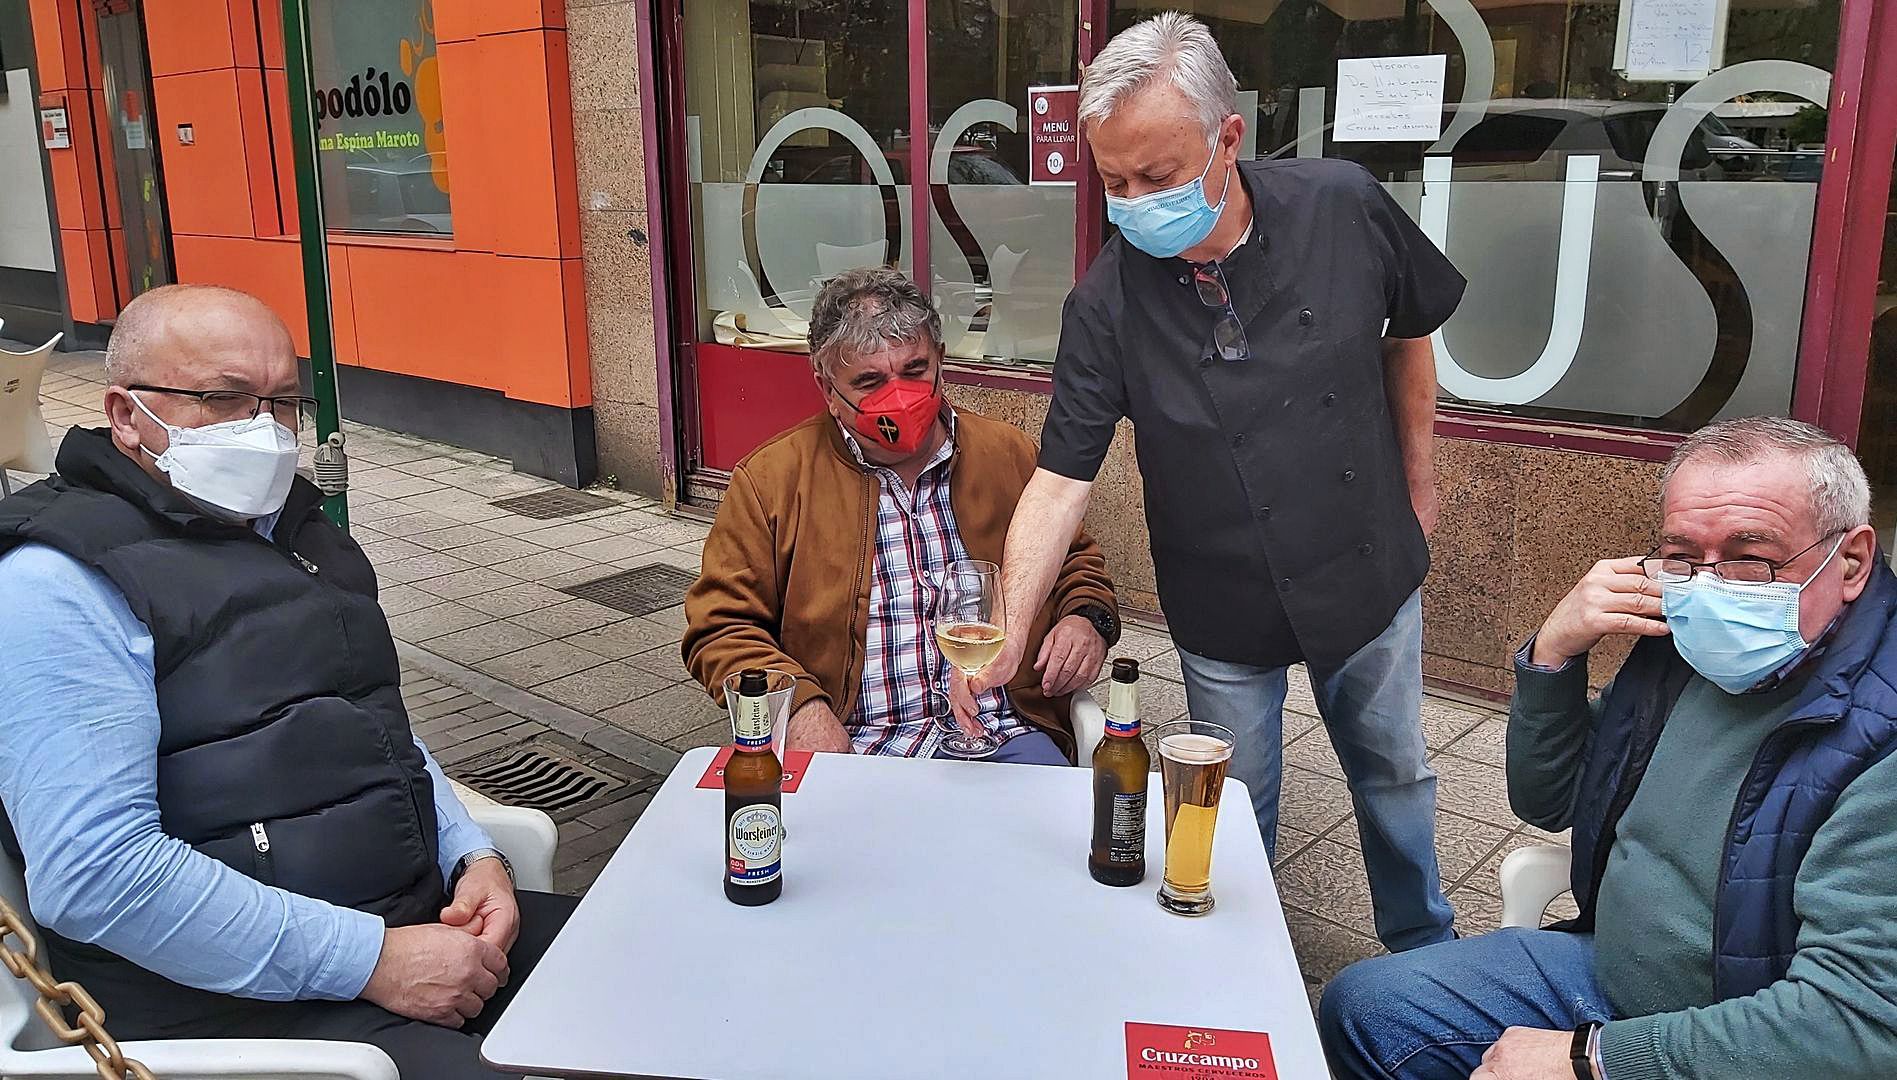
(1737, 635)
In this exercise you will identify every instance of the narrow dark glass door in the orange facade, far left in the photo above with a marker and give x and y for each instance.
(141, 189)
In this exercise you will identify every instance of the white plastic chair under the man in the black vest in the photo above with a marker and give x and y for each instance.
(29, 1051)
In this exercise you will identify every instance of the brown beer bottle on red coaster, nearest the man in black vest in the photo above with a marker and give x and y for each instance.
(754, 800)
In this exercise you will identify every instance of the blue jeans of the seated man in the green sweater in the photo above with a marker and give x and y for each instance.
(1433, 1013)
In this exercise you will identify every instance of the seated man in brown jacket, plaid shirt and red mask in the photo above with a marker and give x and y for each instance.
(828, 549)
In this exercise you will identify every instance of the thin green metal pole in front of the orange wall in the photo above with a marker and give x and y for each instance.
(312, 233)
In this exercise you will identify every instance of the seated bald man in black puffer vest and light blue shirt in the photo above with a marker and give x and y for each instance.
(227, 825)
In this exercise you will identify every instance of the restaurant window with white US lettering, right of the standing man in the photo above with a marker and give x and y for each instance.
(1636, 248)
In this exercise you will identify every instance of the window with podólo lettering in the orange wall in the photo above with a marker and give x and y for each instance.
(378, 103)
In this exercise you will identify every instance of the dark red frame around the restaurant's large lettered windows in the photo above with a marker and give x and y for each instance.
(1833, 354)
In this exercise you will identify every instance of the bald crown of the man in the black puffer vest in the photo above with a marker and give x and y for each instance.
(179, 331)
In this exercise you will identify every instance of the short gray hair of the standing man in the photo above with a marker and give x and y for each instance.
(1171, 47)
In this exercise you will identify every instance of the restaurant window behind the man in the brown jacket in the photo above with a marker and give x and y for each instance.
(800, 147)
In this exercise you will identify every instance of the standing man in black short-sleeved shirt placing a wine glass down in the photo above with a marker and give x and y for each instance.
(1266, 329)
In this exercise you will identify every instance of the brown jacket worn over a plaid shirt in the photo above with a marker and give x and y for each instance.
(788, 565)
